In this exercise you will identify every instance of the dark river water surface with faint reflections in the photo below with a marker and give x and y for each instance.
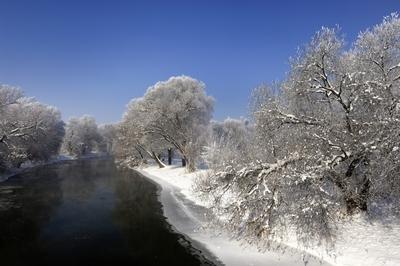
(87, 213)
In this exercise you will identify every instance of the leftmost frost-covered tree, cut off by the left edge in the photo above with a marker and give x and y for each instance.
(29, 130)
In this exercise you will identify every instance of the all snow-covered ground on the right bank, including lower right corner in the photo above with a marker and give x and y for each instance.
(361, 243)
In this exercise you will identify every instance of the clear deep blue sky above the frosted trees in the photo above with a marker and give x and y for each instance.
(92, 57)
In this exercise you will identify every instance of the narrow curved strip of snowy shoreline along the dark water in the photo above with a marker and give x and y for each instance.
(188, 218)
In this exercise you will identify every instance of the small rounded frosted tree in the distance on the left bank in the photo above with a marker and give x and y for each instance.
(81, 136)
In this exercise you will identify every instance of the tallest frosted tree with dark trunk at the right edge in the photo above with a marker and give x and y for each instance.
(347, 100)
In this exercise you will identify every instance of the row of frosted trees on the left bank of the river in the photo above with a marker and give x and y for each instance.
(33, 131)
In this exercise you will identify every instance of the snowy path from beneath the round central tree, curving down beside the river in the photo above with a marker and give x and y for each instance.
(186, 213)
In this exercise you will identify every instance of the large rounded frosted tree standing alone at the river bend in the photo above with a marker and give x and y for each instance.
(177, 112)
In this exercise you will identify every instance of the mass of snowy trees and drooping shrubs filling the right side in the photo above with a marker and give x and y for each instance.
(324, 143)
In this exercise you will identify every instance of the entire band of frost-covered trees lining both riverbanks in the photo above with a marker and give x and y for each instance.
(321, 145)
